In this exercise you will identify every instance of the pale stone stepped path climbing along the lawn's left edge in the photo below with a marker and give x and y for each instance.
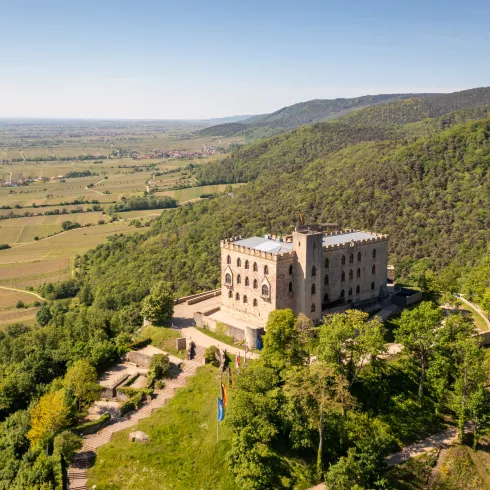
(77, 472)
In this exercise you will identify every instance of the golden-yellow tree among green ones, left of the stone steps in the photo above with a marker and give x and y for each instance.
(48, 416)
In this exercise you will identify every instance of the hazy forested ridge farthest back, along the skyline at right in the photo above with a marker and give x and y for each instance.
(369, 109)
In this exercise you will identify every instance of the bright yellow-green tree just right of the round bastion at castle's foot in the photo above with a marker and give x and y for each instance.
(282, 345)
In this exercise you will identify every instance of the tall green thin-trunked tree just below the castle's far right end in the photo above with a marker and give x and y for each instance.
(417, 333)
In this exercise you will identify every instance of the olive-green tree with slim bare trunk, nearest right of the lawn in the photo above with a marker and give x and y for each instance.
(313, 394)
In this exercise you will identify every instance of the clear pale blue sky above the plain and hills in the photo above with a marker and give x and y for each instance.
(202, 59)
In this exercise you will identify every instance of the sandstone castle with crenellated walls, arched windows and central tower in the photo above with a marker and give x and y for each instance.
(313, 270)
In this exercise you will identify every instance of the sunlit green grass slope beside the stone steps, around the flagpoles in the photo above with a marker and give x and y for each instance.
(183, 452)
